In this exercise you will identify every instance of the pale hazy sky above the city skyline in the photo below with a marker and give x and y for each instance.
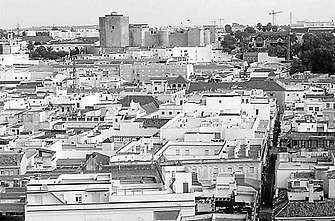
(28, 13)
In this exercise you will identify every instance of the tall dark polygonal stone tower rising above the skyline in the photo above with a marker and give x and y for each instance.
(114, 30)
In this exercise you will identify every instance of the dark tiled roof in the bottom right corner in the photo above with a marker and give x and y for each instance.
(308, 209)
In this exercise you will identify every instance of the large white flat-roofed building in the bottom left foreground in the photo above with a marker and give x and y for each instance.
(100, 197)
